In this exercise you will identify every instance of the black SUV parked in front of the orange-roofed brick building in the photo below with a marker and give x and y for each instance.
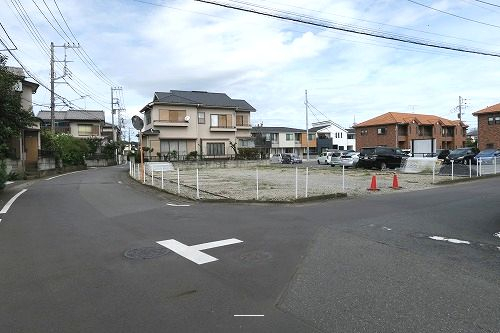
(381, 157)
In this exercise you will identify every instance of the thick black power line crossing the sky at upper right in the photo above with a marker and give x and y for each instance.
(358, 30)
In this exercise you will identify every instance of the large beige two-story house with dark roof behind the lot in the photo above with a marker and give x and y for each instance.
(180, 122)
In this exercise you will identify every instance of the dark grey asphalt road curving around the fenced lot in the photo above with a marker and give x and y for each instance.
(78, 253)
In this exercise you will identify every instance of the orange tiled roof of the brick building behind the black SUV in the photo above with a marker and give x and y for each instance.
(406, 118)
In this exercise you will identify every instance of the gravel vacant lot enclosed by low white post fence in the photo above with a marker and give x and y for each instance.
(285, 182)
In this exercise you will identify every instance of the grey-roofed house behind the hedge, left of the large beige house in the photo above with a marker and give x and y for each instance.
(79, 123)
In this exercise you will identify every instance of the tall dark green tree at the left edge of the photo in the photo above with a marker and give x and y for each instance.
(13, 118)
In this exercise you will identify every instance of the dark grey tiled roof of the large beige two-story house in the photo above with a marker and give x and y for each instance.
(202, 98)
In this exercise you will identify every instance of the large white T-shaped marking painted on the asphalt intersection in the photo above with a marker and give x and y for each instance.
(193, 252)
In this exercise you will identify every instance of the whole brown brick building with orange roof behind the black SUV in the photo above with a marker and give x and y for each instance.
(418, 132)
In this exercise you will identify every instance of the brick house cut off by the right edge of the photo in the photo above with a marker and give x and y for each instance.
(488, 127)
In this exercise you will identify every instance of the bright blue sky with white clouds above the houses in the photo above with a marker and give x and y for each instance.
(162, 45)
